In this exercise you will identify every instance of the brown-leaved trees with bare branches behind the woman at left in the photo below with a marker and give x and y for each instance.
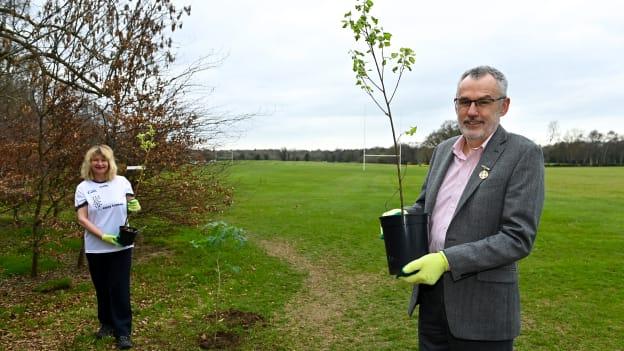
(93, 72)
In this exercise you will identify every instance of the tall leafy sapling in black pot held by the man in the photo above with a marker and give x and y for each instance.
(378, 73)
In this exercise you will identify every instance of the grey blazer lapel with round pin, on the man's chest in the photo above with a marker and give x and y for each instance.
(492, 152)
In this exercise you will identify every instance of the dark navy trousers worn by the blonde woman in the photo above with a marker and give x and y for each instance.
(110, 273)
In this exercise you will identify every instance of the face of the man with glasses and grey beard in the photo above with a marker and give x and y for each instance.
(477, 121)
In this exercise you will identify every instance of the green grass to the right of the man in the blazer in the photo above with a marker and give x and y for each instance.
(572, 284)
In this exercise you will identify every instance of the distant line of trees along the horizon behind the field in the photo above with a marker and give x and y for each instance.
(576, 149)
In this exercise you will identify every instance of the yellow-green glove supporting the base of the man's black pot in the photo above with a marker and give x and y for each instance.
(430, 268)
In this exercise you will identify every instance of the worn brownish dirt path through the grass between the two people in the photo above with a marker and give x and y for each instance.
(319, 307)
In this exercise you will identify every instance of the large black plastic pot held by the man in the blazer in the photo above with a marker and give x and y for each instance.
(404, 241)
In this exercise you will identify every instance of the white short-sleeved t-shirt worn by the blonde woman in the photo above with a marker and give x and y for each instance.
(106, 209)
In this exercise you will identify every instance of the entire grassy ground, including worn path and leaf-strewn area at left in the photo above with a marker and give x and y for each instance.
(315, 269)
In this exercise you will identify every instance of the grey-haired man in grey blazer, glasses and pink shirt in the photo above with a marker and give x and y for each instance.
(484, 195)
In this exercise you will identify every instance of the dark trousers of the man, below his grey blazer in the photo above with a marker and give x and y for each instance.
(433, 330)
